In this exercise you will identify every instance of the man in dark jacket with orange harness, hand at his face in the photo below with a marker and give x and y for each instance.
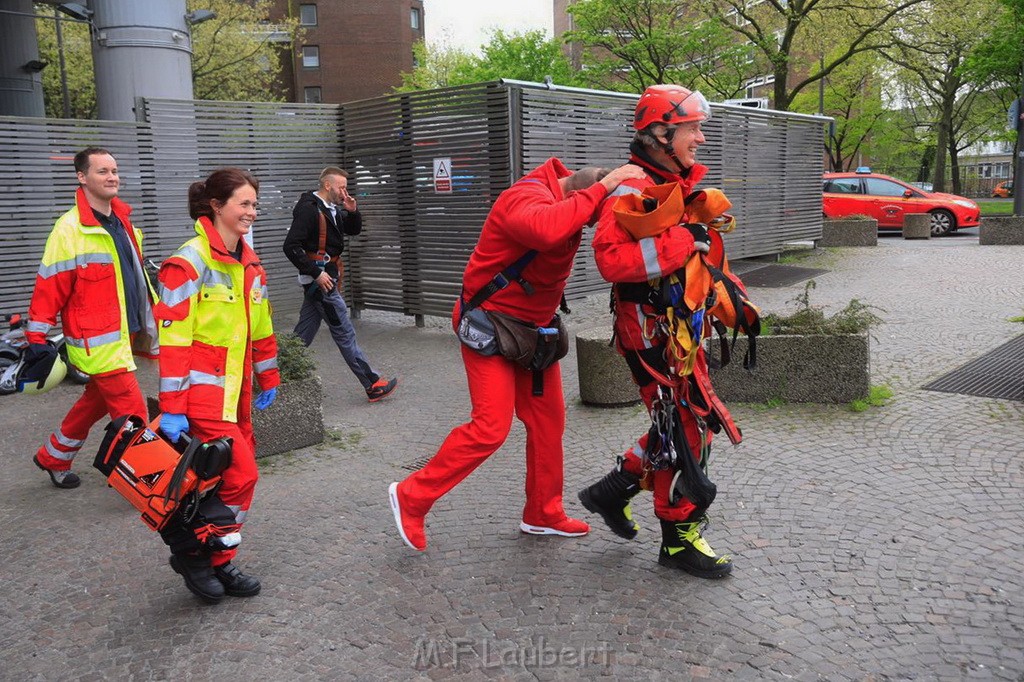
(315, 242)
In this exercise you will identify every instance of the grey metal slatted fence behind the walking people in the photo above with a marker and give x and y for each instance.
(416, 242)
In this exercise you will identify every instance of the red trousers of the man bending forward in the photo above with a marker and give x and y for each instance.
(499, 390)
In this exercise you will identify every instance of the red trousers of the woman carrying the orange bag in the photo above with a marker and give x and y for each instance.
(240, 479)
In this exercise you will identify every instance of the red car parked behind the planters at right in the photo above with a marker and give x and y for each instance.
(888, 200)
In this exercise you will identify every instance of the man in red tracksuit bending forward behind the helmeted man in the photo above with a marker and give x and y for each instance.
(546, 212)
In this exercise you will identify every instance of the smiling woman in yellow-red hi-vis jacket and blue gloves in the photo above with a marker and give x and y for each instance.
(216, 328)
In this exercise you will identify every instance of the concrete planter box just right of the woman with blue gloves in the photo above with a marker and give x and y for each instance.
(295, 420)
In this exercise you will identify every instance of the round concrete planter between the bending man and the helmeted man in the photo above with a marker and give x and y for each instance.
(605, 377)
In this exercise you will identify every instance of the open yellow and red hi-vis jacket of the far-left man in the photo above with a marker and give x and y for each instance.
(80, 278)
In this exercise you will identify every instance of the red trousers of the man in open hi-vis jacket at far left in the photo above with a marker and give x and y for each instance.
(109, 395)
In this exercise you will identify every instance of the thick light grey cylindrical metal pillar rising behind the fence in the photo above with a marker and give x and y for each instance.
(140, 50)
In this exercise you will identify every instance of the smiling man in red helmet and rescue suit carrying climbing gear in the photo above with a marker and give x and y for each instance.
(668, 122)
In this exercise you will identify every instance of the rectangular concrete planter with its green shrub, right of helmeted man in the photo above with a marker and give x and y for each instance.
(804, 357)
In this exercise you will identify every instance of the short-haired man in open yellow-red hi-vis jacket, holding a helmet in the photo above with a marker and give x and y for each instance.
(92, 274)
